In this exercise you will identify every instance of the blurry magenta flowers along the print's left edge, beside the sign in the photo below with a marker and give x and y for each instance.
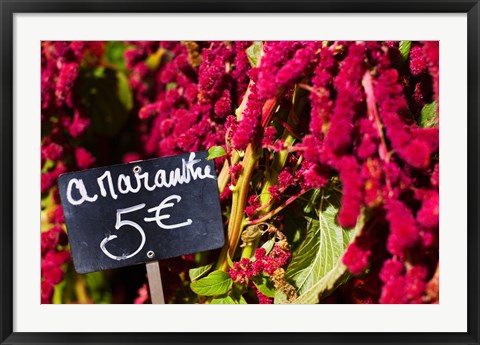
(66, 121)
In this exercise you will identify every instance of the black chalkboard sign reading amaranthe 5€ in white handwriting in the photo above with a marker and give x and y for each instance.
(133, 213)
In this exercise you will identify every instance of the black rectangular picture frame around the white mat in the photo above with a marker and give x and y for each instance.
(10, 7)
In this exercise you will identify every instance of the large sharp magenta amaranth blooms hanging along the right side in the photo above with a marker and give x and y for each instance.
(363, 127)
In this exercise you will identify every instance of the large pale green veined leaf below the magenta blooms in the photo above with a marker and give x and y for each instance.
(316, 267)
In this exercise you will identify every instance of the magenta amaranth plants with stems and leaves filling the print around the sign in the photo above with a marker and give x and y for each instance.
(326, 154)
